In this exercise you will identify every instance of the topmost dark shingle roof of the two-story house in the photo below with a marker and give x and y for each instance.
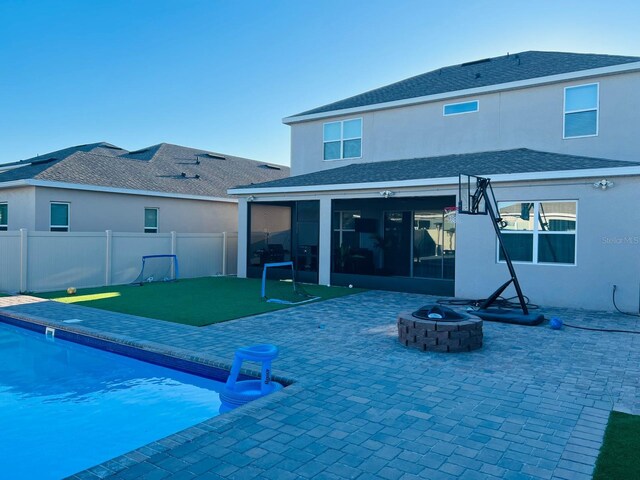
(481, 73)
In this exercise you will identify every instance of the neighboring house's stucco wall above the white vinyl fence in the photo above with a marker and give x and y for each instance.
(98, 211)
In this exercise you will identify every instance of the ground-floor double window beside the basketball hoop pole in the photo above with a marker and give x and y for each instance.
(539, 232)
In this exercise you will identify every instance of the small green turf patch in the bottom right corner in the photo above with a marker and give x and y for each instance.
(620, 454)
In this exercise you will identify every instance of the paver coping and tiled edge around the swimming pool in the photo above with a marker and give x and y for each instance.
(163, 356)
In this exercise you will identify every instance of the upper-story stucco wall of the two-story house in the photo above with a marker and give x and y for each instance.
(526, 118)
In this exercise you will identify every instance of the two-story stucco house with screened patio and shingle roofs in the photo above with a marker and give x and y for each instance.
(375, 183)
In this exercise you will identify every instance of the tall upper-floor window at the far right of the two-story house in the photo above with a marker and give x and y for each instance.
(581, 111)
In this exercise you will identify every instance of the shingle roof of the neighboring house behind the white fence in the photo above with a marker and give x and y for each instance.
(160, 168)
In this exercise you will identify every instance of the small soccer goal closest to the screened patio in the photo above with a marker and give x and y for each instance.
(279, 285)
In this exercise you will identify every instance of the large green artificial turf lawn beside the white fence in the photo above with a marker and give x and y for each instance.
(198, 302)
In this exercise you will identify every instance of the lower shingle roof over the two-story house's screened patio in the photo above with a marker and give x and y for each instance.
(520, 160)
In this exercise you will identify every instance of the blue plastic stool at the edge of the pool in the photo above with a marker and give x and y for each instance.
(237, 393)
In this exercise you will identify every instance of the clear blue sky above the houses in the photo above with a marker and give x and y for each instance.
(221, 75)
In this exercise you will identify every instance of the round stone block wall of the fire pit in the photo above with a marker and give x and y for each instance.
(439, 336)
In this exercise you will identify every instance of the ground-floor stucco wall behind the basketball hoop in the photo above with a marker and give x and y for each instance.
(607, 251)
